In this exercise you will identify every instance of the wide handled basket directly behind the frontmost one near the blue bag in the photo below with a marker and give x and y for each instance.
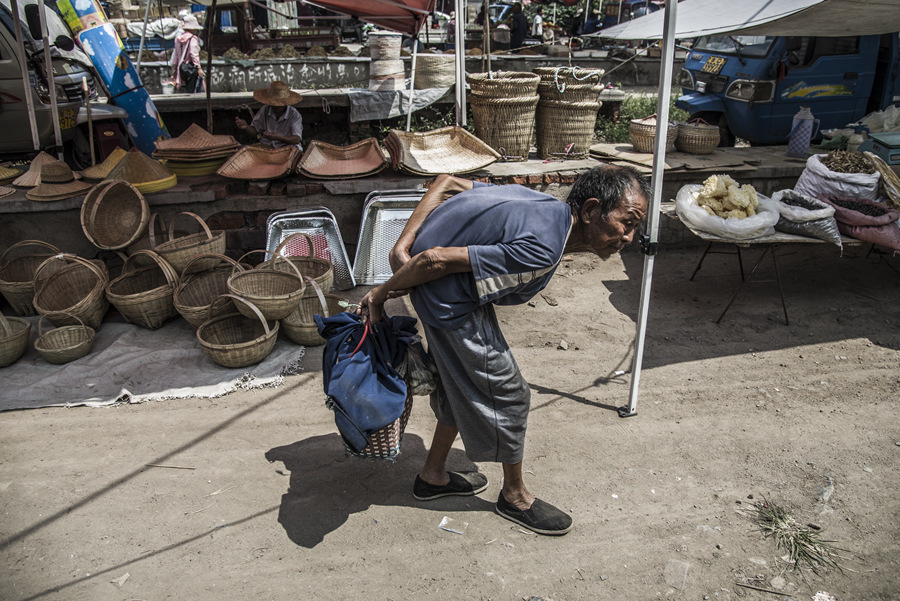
(273, 293)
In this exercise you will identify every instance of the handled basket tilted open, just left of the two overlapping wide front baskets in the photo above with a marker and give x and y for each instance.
(203, 281)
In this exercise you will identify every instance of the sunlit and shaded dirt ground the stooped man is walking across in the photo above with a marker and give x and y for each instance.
(806, 416)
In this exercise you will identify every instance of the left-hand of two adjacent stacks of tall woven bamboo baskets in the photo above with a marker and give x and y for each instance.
(503, 109)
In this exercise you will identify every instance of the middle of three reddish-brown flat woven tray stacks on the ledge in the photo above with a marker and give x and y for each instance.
(327, 161)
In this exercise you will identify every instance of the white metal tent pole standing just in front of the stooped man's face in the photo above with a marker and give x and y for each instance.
(649, 241)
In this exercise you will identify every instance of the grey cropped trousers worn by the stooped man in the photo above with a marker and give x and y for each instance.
(482, 392)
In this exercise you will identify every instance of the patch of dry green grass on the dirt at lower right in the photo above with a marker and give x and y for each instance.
(802, 543)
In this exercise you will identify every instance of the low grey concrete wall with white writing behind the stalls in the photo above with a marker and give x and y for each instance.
(350, 72)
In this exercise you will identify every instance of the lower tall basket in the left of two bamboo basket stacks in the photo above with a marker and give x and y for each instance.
(505, 124)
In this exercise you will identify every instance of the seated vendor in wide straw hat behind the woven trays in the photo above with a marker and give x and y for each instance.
(277, 123)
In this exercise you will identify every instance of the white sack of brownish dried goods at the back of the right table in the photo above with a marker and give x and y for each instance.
(839, 173)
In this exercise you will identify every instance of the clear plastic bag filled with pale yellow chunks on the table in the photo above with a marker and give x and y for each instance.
(723, 207)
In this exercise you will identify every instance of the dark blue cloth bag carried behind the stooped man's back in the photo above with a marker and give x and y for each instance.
(363, 387)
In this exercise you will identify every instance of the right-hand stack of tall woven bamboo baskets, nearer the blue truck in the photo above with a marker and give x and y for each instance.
(567, 111)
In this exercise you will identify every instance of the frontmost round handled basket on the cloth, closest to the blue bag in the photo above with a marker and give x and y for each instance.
(234, 340)
